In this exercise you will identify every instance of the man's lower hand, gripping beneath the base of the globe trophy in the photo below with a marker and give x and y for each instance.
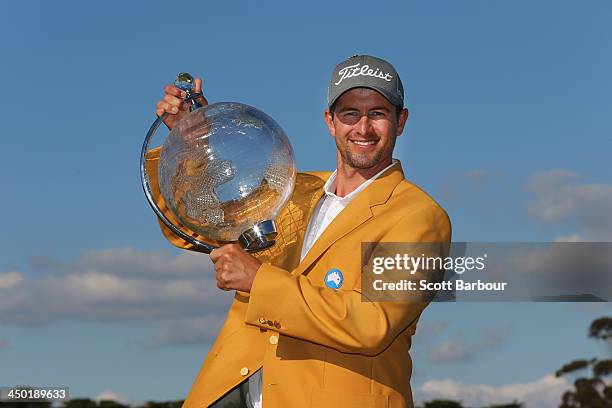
(235, 268)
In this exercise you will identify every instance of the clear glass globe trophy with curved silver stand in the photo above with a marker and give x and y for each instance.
(225, 171)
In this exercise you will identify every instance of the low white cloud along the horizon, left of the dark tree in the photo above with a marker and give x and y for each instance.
(543, 393)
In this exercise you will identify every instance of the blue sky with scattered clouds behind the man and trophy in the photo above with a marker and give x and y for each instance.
(510, 130)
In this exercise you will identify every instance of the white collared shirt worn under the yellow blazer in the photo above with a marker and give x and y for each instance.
(328, 208)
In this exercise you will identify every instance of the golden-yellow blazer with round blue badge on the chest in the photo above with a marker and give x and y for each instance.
(321, 347)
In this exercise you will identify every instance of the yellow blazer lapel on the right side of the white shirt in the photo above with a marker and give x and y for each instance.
(356, 213)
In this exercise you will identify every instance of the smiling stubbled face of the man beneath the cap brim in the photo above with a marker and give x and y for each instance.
(364, 125)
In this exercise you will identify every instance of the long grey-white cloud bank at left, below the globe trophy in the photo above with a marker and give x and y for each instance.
(114, 286)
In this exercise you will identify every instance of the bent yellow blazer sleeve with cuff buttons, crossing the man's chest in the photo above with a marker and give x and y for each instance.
(340, 319)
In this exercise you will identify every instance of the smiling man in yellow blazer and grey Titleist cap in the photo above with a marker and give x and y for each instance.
(298, 333)
